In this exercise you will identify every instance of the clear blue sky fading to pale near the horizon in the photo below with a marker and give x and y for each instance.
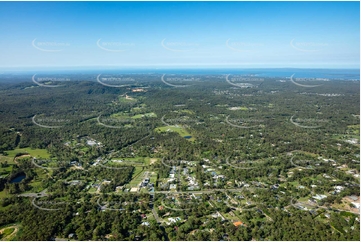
(180, 34)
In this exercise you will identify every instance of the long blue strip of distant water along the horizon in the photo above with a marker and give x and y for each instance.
(332, 74)
